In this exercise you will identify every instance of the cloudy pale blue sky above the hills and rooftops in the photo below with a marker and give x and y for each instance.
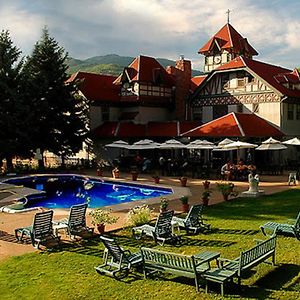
(159, 28)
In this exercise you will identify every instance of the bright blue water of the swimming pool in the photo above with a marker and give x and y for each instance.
(63, 191)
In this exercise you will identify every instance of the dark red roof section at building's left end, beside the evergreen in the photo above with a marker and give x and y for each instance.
(97, 87)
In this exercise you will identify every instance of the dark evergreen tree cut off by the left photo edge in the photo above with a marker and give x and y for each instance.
(13, 128)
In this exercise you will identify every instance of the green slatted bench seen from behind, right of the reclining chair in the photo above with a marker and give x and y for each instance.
(183, 265)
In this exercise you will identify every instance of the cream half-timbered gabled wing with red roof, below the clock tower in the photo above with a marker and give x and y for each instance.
(244, 85)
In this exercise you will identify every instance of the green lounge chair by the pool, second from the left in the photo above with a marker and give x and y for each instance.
(75, 224)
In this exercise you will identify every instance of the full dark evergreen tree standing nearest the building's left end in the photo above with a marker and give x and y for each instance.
(60, 122)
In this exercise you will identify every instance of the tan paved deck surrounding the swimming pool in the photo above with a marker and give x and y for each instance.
(8, 222)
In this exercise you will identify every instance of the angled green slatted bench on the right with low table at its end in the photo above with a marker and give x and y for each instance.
(247, 260)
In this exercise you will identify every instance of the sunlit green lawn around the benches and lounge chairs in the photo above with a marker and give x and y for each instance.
(69, 273)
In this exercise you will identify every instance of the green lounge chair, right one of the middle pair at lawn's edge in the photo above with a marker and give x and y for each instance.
(193, 221)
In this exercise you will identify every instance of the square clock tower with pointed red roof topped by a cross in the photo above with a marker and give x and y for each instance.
(224, 46)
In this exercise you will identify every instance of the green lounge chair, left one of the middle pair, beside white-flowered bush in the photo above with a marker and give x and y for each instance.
(162, 231)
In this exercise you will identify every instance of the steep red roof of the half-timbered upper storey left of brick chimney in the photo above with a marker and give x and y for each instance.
(144, 69)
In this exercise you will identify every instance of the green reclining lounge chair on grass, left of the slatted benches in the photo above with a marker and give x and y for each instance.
(117, 262)
